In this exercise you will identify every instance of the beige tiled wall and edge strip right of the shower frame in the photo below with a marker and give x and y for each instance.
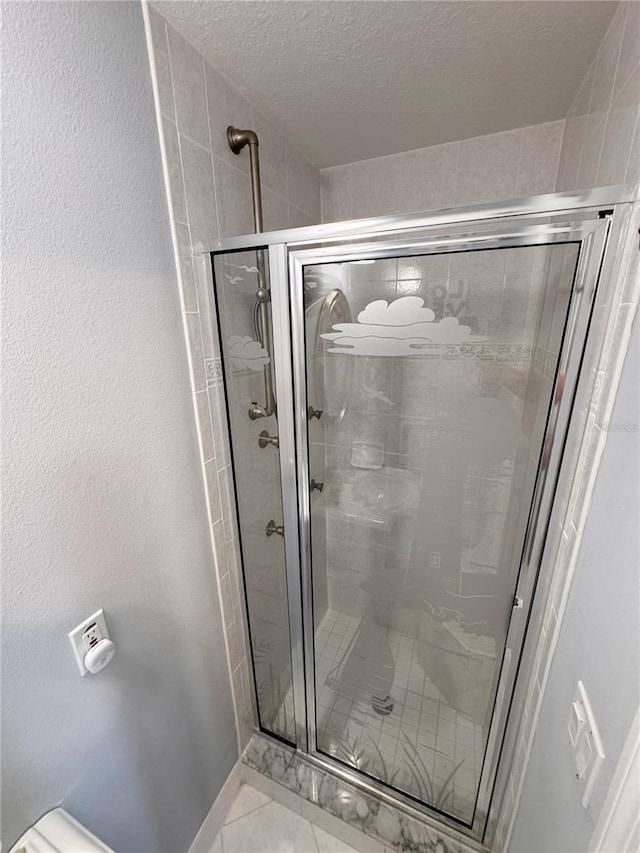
(601, 147)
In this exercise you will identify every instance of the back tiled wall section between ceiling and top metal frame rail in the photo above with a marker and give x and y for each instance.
(486, 168)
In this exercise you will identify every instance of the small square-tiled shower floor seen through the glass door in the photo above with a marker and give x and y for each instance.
(424, 746)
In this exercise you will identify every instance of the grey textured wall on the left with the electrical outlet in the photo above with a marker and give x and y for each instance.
(102, 486)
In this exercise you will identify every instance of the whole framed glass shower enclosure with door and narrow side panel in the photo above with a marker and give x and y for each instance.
(393, 508)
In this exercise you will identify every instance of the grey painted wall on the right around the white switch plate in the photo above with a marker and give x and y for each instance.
(599, 643)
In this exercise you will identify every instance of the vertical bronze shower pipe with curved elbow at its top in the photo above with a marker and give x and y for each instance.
(237, 140)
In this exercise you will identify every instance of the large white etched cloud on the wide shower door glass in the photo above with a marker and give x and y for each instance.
(402, 327)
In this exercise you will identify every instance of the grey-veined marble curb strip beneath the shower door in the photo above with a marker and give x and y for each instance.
(392, 828)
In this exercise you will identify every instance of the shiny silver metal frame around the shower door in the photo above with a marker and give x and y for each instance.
(289, 252)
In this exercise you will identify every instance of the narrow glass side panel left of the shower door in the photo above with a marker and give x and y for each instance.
(258, 489)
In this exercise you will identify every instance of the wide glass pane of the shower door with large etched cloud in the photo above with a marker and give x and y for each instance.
(434, 375)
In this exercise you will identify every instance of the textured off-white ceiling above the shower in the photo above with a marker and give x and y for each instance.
(351, 79)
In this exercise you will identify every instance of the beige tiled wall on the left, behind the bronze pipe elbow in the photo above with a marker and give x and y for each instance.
(209, 191)
